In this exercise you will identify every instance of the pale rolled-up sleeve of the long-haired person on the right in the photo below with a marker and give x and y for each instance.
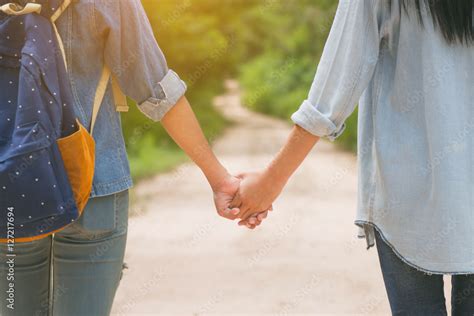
(345, 70)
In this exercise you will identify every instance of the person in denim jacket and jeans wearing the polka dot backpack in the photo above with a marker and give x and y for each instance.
(77, 271)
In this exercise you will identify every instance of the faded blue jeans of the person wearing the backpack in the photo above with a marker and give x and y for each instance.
(76, 272)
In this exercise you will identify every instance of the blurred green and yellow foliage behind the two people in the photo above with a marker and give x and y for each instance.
(272, 46)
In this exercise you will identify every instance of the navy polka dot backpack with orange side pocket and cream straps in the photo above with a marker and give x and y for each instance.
(46, 154)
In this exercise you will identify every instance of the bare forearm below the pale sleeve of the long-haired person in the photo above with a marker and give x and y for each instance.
(290, 157)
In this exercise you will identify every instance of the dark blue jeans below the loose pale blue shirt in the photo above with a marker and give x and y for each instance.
(412, 292)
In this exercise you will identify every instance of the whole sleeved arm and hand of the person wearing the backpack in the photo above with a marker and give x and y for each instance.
(137, 62)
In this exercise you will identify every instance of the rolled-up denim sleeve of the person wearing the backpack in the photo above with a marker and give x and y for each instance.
(137, 62)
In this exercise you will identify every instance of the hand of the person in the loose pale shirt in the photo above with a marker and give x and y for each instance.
(255, 197)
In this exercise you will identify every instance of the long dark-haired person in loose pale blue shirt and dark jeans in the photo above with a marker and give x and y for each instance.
(410, 63)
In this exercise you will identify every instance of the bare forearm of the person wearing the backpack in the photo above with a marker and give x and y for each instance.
(181, 124)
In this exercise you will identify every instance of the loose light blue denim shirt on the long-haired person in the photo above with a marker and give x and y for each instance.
(415, 134)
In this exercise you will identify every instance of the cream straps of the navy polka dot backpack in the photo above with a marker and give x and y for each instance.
(120, 99)
